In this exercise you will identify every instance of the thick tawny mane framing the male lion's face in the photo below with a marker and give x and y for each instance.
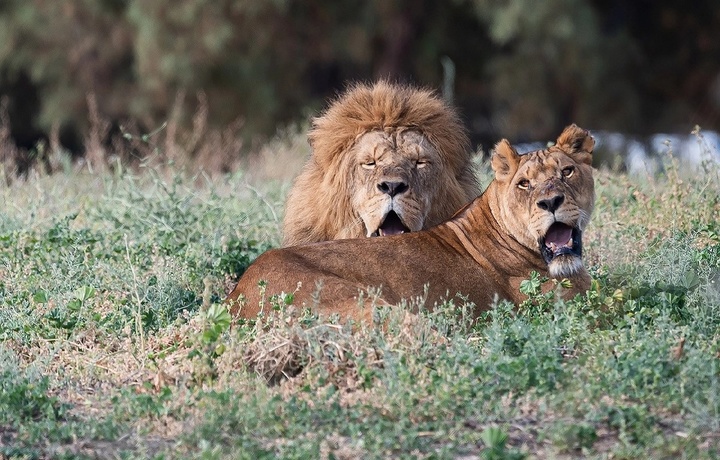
(320, 204)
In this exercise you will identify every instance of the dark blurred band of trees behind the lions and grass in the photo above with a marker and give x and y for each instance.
(522, 69)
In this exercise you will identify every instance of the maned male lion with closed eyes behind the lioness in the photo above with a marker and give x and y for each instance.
(386, 159)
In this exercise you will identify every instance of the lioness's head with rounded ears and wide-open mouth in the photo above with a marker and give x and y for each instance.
(548, 196)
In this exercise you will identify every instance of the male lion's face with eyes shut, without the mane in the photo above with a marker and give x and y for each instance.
(400, 173)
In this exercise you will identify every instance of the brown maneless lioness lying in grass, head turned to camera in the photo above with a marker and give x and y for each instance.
(530, 218)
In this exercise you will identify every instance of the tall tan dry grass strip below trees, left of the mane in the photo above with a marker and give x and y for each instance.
(179, 143)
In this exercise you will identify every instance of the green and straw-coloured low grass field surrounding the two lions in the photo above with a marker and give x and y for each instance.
(112, 342)
